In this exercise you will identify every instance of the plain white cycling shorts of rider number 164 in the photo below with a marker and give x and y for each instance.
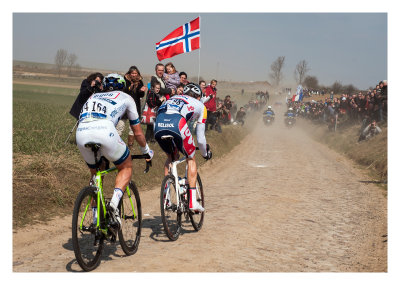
(102, 132)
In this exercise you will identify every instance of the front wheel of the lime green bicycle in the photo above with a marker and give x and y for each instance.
(131, 220)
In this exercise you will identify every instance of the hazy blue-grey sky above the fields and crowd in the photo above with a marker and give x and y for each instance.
(347, 47)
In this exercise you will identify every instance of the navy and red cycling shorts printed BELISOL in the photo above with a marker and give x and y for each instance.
(174, 125)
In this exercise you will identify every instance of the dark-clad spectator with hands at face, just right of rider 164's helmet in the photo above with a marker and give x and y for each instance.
(136, 89)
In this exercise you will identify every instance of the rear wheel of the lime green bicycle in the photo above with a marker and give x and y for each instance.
(87, 247)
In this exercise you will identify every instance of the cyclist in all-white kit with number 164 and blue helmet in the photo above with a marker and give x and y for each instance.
(97, 121)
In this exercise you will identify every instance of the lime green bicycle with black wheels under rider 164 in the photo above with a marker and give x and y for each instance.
(92, 222)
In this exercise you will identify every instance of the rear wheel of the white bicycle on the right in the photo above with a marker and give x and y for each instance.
(171, 217)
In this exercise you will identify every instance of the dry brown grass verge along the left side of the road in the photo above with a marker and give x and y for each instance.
(45, 185)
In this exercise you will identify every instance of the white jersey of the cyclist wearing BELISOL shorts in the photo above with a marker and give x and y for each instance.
(189, 108)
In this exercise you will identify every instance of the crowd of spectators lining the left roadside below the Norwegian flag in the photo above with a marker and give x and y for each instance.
(165, 83)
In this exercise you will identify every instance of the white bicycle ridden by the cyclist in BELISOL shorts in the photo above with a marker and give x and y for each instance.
(174, 199)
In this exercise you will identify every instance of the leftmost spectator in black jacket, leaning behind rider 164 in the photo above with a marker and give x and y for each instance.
(92, 84)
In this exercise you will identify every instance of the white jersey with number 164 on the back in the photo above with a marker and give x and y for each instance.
(111, 106)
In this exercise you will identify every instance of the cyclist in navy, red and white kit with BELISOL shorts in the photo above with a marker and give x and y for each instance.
(172, 118)
